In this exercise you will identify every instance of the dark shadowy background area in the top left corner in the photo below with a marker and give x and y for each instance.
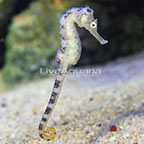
(8, 8)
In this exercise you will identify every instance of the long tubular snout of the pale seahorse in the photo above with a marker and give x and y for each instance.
(98, 37)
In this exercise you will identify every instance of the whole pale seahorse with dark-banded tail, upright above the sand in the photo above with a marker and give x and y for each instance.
(68, 54)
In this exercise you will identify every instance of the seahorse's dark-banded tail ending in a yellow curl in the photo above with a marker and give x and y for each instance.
(50, 133)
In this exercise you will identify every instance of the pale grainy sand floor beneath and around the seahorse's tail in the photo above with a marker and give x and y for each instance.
(88, 107)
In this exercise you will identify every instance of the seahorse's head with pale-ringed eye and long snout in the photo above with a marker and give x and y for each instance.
(85, 18)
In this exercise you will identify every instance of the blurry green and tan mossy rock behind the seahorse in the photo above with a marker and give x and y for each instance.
(32, 42)
